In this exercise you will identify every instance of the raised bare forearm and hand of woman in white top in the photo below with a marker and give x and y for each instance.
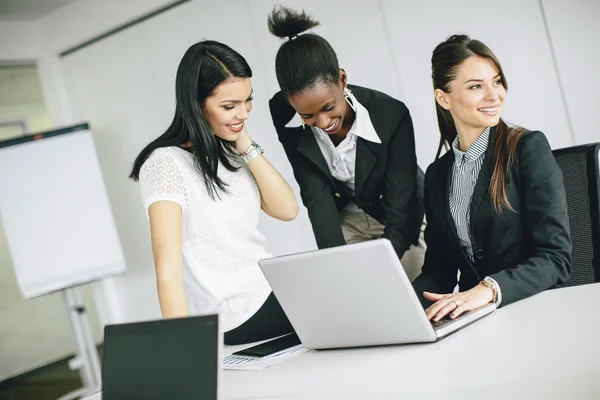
(277, 197)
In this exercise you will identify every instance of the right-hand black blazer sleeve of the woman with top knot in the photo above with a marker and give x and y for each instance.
(399, 202)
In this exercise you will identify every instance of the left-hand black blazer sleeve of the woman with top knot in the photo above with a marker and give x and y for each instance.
(317, 195)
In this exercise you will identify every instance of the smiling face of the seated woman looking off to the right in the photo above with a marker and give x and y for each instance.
(476, 95)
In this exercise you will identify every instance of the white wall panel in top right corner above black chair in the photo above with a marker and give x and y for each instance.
(575, 34)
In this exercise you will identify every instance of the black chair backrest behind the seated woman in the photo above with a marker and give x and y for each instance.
(580, 166)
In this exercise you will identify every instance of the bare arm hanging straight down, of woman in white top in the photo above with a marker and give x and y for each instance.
(166, 230)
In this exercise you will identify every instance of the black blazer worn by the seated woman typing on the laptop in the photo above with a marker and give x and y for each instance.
(526, 251)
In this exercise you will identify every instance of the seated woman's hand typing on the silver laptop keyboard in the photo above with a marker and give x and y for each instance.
(457, 303)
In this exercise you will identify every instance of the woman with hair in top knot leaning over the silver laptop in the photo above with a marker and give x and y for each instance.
(352, 149)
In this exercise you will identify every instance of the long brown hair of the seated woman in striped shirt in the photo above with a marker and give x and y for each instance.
(447, 58)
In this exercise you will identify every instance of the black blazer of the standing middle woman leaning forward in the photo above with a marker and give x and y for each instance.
(386, 174)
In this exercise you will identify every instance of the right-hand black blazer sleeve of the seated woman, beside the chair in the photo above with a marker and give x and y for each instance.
(545, 219)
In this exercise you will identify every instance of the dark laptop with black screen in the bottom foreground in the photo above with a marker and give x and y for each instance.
(161, 360)
